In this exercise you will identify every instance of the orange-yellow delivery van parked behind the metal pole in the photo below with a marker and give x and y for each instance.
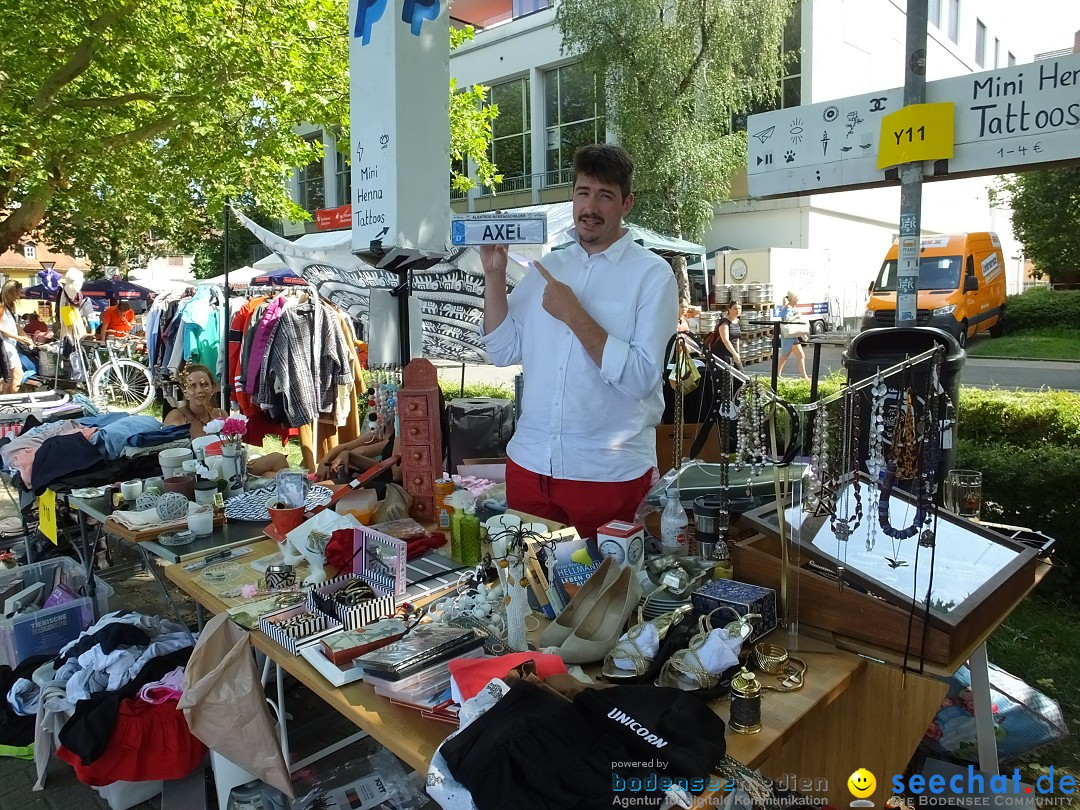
(962, 287)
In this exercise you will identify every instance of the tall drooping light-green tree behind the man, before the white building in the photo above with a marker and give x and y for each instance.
(677, 74)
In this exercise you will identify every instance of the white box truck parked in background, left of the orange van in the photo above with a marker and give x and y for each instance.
(800, 271)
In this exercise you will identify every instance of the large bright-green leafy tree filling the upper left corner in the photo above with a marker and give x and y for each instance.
(124, 116)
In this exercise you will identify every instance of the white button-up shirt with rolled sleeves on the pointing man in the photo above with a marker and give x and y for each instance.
(580, 422)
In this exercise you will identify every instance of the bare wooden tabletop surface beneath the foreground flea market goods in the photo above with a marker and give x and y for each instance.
(414, 739)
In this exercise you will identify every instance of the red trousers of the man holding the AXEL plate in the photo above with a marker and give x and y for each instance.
(585, 505)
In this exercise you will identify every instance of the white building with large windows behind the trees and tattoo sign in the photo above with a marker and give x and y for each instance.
(549, 106)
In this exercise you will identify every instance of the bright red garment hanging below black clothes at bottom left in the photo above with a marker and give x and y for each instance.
(150, 742)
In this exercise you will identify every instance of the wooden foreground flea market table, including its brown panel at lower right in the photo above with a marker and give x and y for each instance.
(853, 712)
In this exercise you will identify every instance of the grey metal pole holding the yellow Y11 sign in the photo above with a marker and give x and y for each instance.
(911, 174)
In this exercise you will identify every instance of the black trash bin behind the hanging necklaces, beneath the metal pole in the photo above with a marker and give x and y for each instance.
(876, 350)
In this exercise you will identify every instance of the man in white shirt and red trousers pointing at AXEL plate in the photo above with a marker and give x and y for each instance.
(589, 327)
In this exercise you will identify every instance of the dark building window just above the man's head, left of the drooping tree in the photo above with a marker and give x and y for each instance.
(574, 107)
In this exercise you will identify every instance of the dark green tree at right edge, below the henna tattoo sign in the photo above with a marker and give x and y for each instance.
(1046, 219)
